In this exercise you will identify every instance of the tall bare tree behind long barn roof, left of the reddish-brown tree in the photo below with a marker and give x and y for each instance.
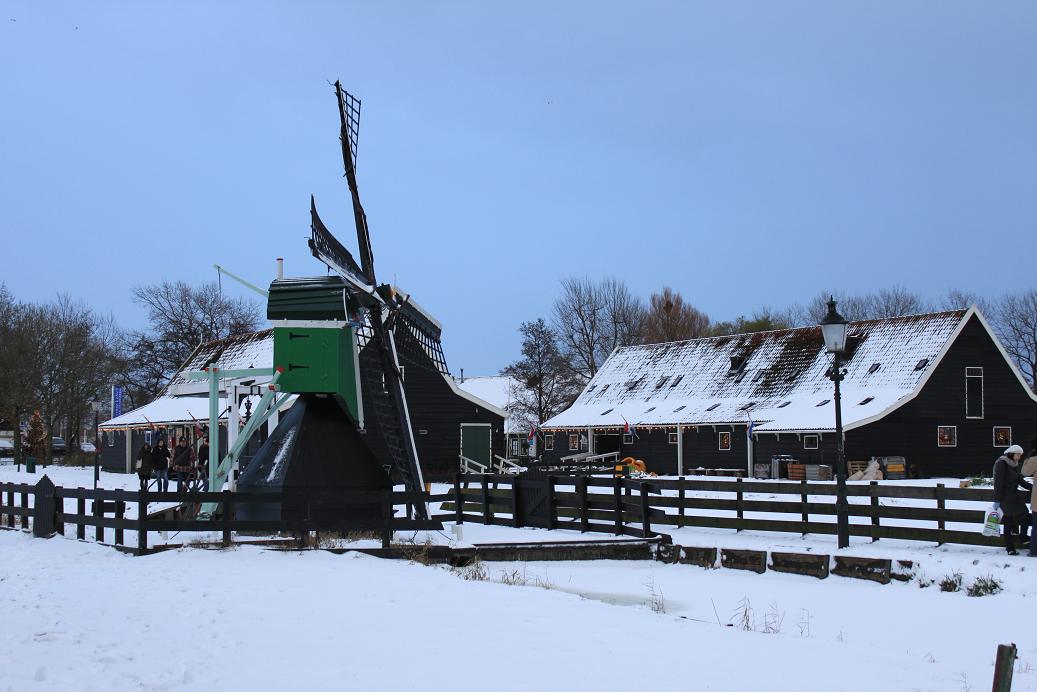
(592, 320)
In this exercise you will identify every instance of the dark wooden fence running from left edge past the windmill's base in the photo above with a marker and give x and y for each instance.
(102, 514)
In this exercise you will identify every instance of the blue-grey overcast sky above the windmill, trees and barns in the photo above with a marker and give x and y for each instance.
(745, 154)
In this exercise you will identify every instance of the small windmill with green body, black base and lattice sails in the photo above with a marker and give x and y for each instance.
(322, 326)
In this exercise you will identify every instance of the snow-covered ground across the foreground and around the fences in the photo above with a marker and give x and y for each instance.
(81, 617)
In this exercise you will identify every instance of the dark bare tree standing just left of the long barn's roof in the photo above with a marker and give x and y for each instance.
(546, 384)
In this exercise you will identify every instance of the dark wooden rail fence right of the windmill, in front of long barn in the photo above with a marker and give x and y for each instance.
(635, 507)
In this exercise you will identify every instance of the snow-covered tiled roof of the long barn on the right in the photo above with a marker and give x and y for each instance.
(778, 379)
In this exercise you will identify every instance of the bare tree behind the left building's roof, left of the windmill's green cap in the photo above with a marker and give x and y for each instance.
(181, 317)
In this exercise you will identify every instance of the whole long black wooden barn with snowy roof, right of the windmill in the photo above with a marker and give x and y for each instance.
(938, 390)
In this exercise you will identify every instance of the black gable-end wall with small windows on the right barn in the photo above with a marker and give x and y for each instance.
(911, 431)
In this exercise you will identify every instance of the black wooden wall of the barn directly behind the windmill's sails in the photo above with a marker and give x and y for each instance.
(434, 408)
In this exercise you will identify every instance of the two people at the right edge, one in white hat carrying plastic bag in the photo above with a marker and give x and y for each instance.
(1010, 477)
